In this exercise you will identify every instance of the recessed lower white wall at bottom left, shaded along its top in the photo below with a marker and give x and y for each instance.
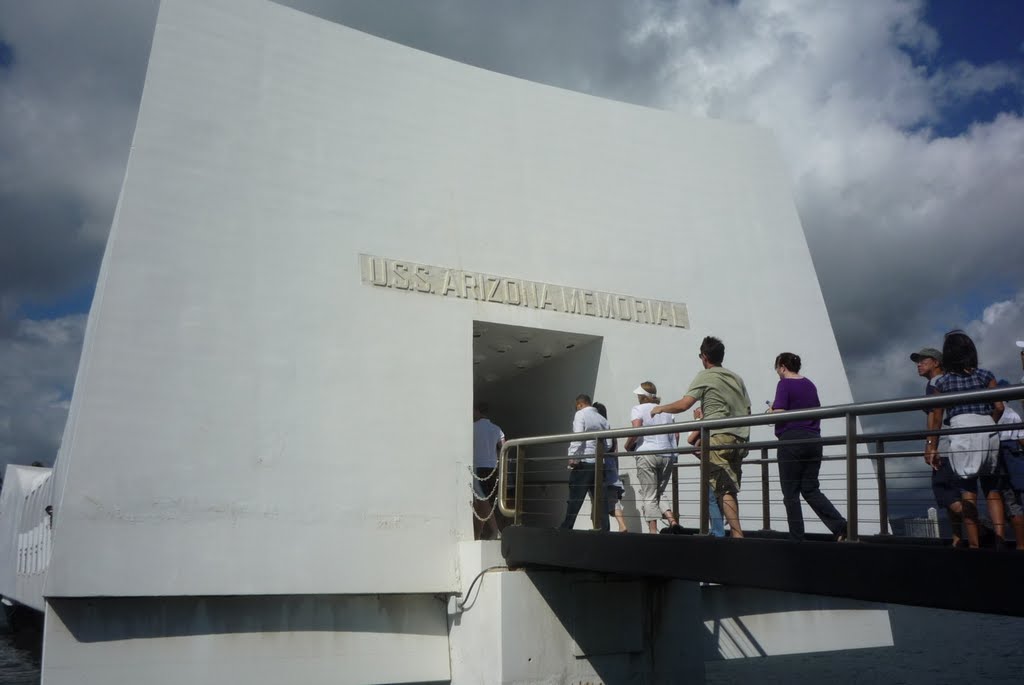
(246, 640)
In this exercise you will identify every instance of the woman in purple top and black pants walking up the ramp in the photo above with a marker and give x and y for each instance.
(799, 463)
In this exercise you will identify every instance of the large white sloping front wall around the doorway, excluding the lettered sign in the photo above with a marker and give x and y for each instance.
(250, 418)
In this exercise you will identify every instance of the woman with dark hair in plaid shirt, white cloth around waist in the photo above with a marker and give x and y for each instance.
(972, 456)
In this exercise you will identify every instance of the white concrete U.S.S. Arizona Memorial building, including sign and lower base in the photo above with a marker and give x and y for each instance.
(326, 246)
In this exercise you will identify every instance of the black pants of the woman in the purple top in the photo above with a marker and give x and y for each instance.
(798, 473)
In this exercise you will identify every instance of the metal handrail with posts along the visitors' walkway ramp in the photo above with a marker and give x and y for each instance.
(850, 413)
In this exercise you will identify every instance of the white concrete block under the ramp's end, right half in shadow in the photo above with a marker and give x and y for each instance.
(545, 627)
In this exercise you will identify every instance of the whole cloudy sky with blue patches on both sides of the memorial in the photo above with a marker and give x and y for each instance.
(902, 124)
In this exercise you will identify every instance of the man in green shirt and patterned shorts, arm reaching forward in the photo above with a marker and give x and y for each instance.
(722, 395)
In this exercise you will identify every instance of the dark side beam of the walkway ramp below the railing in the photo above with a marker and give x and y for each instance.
(930, 576)
